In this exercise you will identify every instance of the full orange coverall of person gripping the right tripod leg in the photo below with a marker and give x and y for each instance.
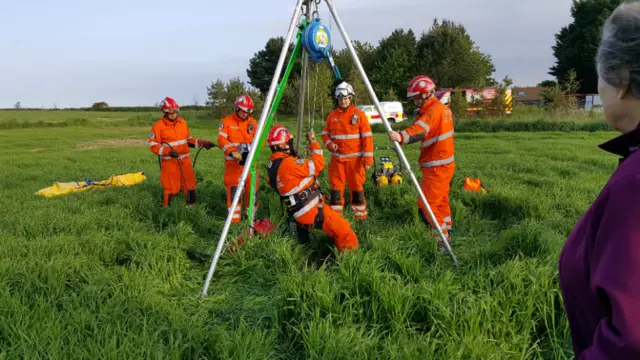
(434, 129)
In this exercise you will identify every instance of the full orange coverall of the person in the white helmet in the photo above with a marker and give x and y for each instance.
(350, 130)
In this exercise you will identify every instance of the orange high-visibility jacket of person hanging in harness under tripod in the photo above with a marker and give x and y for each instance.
(295, 175)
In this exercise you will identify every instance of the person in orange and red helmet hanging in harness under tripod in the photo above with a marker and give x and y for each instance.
(295, 180)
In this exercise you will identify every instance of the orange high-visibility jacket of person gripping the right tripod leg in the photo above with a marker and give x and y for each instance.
(434, 128)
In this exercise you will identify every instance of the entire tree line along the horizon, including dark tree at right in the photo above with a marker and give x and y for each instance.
(445, 52)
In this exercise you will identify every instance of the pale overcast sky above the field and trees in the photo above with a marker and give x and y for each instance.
(72, 53)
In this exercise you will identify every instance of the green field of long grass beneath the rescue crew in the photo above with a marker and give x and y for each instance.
(103, 274)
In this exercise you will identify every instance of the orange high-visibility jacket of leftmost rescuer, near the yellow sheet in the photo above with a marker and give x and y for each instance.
(175, 133)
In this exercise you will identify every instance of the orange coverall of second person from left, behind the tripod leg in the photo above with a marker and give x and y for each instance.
(233, 133)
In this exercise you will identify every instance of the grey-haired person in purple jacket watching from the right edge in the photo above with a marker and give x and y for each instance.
(600, 262)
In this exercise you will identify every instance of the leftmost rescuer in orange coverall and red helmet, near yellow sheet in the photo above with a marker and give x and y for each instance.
(170, 139)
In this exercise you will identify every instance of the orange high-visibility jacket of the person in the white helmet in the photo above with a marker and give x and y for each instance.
(349, 129)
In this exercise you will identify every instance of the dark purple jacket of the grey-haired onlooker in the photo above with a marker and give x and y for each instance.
(600, 264)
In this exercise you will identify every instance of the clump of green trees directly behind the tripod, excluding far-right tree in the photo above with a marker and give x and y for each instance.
(446, 52)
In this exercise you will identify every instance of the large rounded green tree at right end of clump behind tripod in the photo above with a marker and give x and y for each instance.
(452, 59)
